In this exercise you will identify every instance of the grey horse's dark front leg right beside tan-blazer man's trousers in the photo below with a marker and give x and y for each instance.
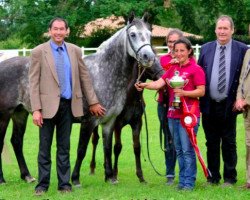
(85, 134)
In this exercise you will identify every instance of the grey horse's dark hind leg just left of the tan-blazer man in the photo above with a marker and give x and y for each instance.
(19, 118)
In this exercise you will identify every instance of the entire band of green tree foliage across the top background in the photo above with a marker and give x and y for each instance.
(29, 19)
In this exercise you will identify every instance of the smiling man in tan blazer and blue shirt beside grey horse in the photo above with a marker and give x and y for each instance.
(58, 79)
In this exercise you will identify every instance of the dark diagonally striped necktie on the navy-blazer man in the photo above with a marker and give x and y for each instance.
(222, 70)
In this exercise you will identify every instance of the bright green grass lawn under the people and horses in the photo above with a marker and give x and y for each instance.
(94, 187)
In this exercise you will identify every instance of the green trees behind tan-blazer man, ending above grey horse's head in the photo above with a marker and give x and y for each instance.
(31, 17)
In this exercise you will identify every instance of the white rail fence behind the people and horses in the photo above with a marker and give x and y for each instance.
(4, 54)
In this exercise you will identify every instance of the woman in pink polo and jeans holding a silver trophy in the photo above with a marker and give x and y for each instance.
(195, 88)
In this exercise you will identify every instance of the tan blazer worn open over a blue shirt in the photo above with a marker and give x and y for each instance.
(44, 84)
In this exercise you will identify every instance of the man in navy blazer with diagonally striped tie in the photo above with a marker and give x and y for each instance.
(221, 60)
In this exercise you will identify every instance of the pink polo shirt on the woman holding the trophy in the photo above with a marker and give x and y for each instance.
(195, 76)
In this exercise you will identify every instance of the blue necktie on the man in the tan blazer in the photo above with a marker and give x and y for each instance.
(60, 68)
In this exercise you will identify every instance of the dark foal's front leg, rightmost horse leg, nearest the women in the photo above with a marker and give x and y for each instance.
(137, 149)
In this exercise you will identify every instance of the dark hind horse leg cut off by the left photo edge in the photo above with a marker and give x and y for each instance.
(4, 121)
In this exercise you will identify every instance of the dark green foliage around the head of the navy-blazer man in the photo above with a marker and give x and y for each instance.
(199, 16)
